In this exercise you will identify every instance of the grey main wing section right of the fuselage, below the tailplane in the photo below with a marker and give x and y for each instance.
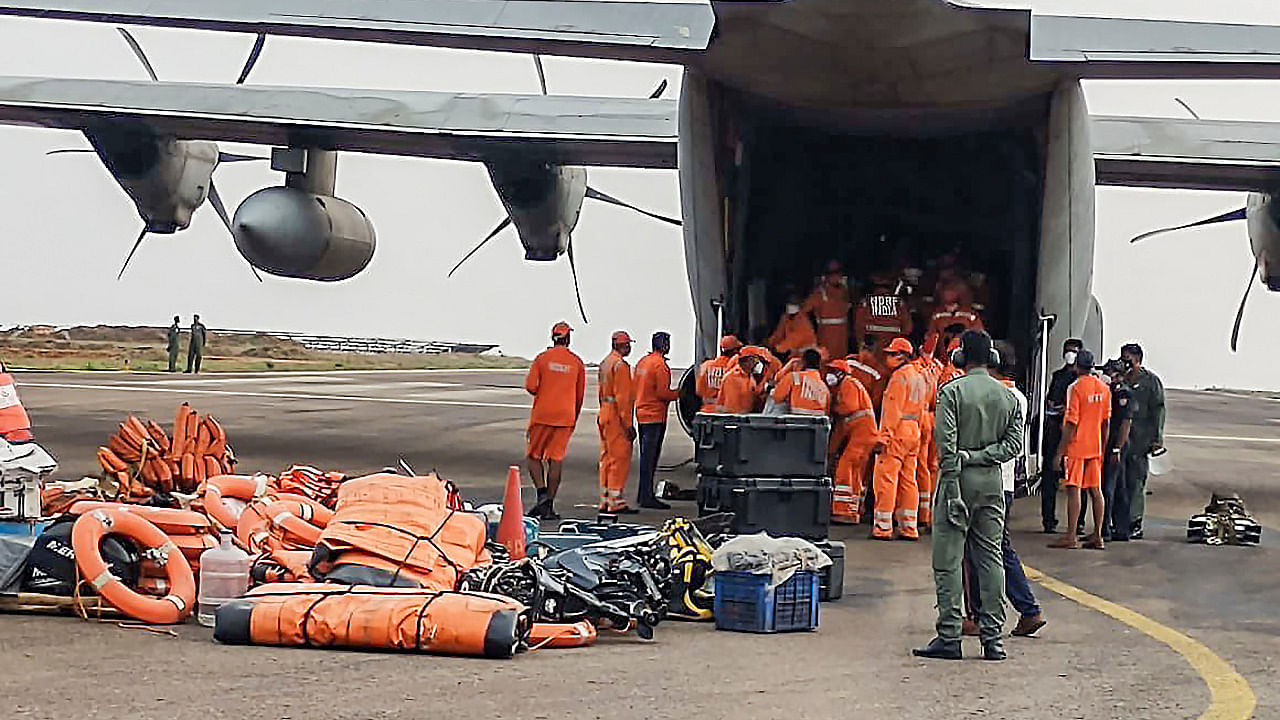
(1186, 153)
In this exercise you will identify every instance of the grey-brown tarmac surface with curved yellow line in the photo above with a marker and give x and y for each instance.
(469, 426)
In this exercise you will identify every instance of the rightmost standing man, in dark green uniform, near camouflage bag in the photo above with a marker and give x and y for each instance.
(1148, 432)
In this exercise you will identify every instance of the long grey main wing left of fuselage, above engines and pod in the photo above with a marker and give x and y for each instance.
(569, 130)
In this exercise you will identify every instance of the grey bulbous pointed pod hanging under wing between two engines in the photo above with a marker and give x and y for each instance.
(292, 234)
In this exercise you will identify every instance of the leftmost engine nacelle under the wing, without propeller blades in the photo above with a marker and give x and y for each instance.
(167, 179)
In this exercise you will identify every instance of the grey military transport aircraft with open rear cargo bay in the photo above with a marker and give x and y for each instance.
(804, 130)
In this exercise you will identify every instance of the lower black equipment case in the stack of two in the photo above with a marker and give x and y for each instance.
(780, 507)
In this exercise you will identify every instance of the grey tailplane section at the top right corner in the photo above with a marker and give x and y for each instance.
(1140, 49)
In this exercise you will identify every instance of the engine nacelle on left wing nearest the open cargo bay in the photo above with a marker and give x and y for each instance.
(543, 202)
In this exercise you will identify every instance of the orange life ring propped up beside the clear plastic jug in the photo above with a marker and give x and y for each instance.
(89, 532)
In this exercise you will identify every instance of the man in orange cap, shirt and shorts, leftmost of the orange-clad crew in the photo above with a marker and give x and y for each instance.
(557, 380)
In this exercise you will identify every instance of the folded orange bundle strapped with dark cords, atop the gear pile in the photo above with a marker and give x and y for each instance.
(400, 531)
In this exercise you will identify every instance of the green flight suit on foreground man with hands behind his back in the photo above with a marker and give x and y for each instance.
(980, 426)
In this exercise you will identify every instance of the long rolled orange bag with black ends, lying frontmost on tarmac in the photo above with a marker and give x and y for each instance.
(371, 618)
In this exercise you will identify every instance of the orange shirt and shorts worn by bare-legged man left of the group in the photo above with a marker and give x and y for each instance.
(557, 380)
